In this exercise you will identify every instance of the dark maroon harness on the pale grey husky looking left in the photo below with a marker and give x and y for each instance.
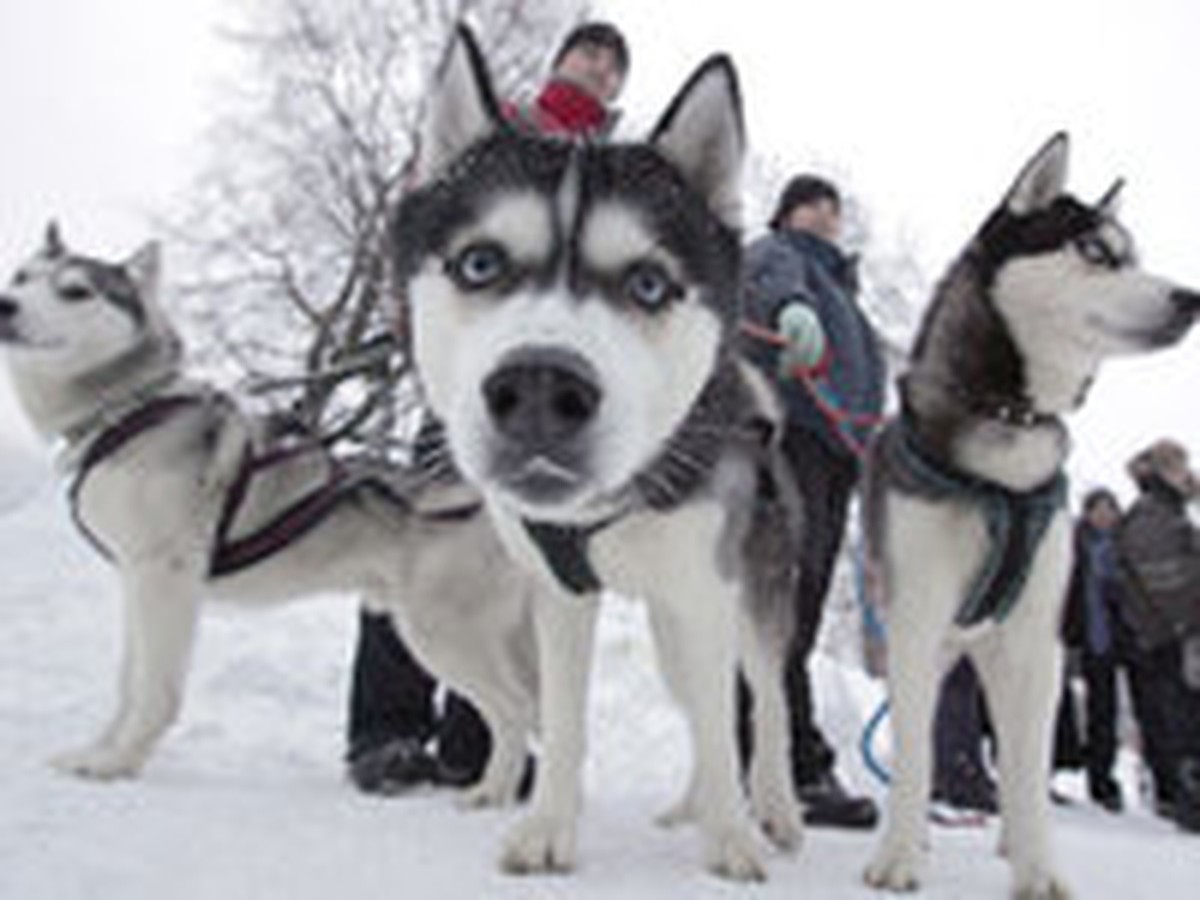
(231, 555)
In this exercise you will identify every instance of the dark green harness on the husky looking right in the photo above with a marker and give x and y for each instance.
(1017, 521)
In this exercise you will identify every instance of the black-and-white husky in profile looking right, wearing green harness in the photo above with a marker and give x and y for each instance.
(965, 493)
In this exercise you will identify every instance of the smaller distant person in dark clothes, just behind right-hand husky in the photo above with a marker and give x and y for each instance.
(1096, 629)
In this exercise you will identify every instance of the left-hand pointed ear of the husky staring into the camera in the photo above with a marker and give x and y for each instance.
(463, 110)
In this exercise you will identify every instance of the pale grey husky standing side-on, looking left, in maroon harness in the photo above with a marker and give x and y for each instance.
(188, 499)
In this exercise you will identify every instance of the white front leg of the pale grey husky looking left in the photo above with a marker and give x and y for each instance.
(160, 626)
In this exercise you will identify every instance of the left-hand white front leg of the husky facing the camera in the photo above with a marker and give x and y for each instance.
(545, 839)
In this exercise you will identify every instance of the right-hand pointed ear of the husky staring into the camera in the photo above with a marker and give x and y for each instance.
(703, 134)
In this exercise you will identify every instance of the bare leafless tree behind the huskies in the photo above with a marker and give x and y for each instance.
(284, 249)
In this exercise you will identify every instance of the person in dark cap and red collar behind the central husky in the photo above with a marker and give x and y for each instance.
(397, 736)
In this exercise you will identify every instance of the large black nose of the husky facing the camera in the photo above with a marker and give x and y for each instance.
(543, 397)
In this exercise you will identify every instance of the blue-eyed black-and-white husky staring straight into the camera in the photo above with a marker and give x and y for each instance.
(574, 314)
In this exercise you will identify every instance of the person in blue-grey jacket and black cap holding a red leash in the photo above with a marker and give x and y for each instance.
(801, 285)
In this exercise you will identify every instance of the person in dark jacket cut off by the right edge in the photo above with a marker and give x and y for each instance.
(1159, 553)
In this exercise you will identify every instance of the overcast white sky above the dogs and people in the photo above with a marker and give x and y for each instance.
(927, 106)
